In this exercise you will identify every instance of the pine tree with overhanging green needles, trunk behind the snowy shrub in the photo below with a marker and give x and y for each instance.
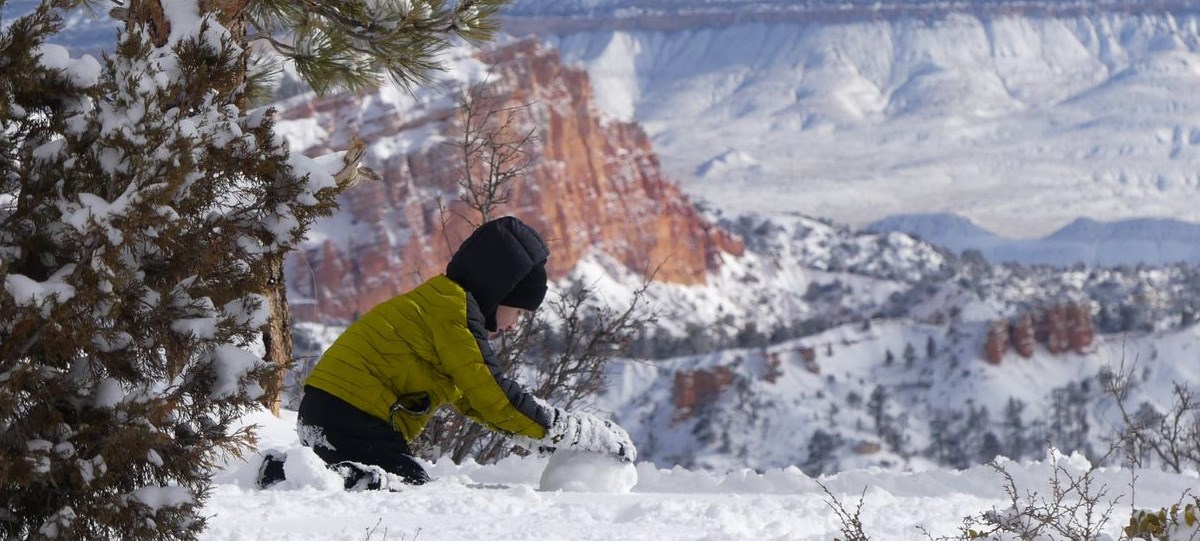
(355, 45)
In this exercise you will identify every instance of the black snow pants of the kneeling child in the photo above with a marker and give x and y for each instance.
(343, 435)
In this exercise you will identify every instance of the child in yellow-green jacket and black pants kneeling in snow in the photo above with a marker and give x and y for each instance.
(386, 376)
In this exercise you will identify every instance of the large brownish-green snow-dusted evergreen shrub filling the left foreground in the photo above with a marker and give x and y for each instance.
(140, 211)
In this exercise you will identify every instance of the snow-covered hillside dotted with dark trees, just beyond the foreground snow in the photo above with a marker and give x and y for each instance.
(898, 395)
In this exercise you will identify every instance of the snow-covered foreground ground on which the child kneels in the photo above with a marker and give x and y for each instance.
(503, 502)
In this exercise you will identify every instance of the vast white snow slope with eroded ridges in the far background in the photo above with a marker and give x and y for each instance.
(992, 117)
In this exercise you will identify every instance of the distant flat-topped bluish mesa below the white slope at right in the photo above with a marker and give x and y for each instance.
(1151, 242)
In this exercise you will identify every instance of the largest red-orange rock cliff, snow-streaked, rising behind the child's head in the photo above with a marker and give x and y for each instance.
(595, 185)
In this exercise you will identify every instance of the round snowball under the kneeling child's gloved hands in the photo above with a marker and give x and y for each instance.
(587, 472)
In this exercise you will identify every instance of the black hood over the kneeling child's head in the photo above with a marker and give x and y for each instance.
(494, 260)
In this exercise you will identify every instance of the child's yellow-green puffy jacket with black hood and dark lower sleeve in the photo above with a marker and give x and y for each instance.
(429, 347)
